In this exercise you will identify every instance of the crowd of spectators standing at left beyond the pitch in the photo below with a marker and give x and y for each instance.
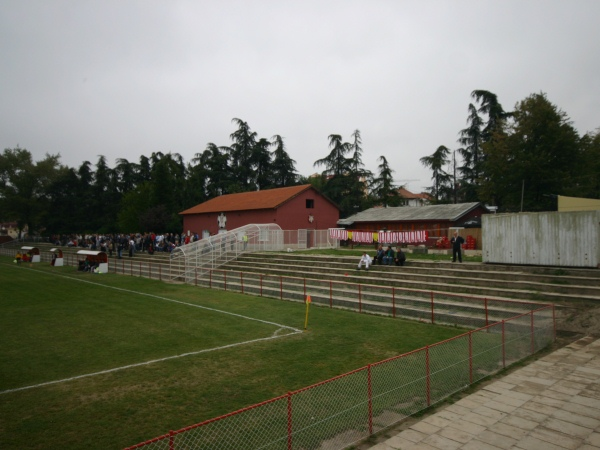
(126, 244)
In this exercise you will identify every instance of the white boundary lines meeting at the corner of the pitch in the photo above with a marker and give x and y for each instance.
(275, 335)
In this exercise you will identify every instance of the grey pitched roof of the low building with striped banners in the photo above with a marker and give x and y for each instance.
(411, 213)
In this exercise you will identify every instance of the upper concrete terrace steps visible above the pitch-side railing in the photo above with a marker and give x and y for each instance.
(492, 281)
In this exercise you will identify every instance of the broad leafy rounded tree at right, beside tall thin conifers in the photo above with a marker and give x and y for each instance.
(535, 159)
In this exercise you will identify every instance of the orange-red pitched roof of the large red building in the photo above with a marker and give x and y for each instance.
(244, 201)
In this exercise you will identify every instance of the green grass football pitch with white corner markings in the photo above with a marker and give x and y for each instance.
(74, 369)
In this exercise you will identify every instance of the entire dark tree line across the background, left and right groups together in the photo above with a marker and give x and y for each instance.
(515, 160)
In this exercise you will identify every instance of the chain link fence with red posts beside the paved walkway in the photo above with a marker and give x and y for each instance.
(341, 411)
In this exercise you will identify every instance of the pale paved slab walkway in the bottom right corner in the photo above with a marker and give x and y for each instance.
(552, 403)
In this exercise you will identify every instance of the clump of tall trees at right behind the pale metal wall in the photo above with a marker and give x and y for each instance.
(516, 160)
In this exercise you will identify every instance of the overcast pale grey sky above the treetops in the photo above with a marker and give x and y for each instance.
(124, 78)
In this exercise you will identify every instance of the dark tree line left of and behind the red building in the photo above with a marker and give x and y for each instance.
(51, 198)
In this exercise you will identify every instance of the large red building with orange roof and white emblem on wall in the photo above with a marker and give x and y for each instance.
(292, 208)
